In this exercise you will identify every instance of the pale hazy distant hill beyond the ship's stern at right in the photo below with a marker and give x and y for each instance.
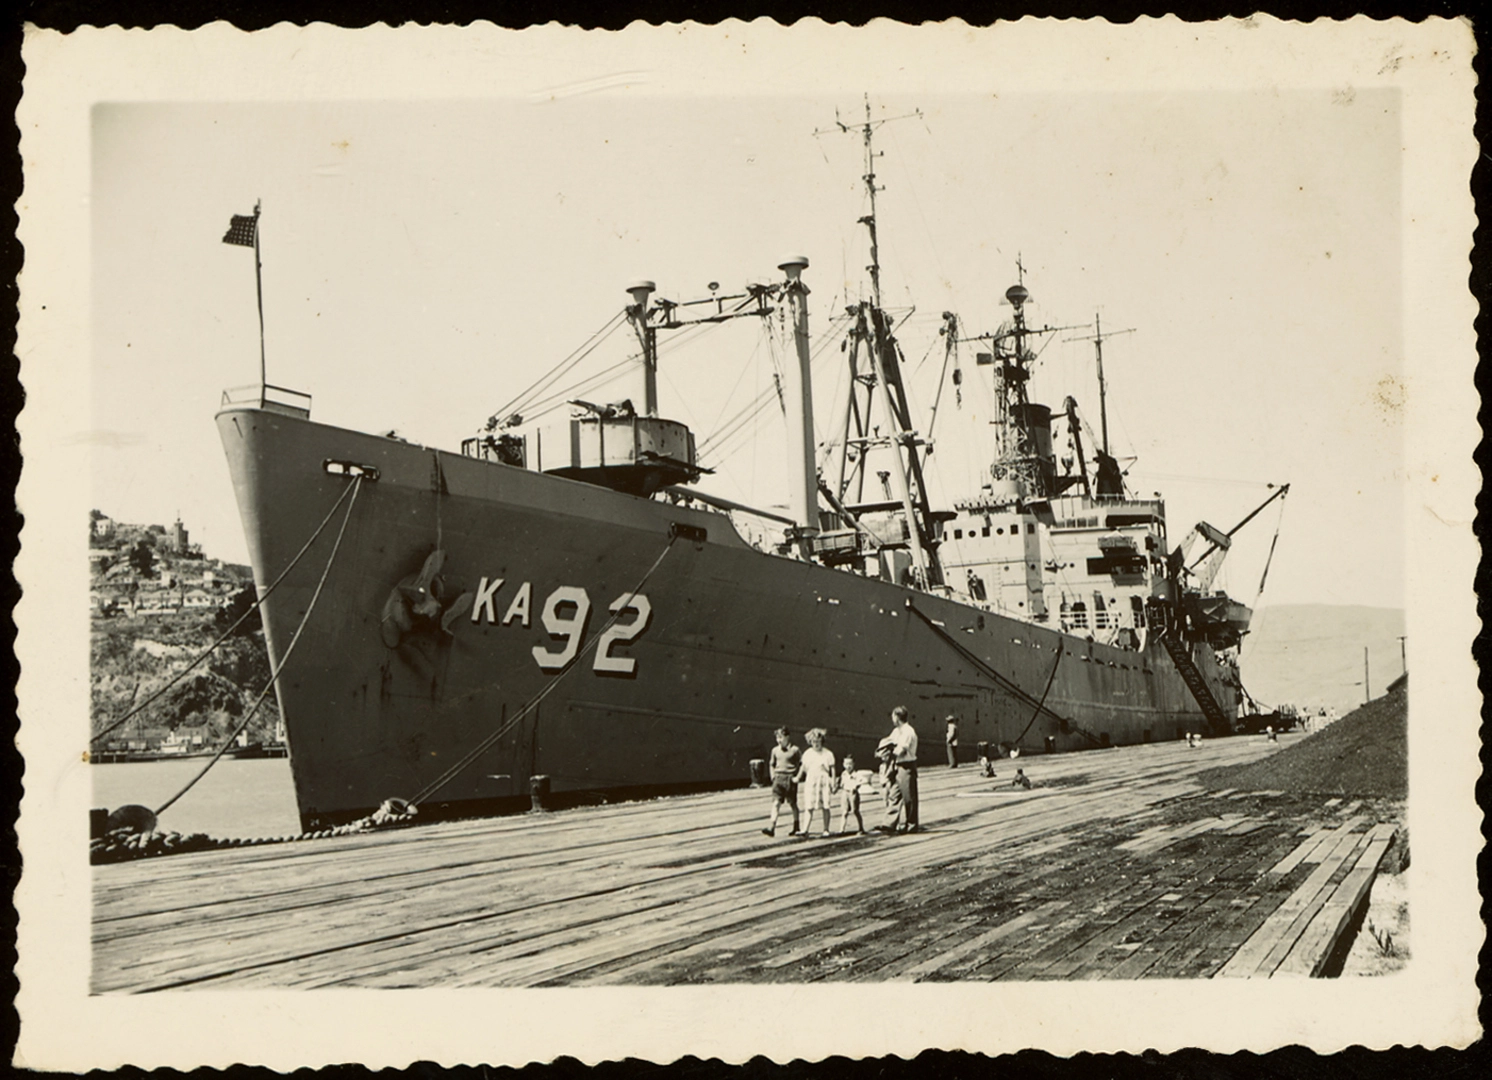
(1311, 656)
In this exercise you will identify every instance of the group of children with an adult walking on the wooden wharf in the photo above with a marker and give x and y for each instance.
(815, 772)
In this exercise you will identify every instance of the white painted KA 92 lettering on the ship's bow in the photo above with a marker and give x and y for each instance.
(565, 614)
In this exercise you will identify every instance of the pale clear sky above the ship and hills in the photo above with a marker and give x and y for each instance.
(424, 262)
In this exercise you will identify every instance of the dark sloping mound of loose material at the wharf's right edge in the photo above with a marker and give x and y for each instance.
(1364, 756)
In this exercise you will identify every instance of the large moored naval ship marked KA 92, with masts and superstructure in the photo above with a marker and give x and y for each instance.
(566, 609)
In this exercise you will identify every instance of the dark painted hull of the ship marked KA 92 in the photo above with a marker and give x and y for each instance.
(733, 642)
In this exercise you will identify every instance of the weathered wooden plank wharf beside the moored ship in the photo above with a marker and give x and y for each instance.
(1117, 866)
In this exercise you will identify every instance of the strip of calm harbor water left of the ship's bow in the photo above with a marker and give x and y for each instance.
(238, 799)
